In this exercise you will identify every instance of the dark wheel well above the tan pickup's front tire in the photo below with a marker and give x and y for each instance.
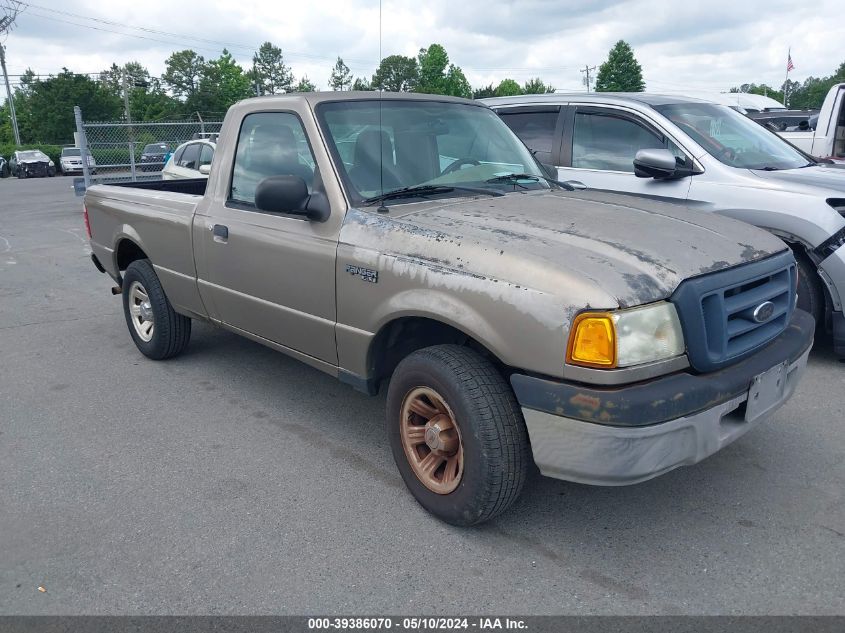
(403, 336)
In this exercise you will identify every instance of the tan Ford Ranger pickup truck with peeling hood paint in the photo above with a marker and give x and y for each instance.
(414, 241)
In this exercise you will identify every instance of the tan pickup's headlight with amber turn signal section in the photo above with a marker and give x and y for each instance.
(626, 337)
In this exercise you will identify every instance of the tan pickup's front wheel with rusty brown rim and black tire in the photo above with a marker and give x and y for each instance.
(457, 434)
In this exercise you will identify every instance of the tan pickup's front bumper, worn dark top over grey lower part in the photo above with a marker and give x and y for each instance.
(570, 442)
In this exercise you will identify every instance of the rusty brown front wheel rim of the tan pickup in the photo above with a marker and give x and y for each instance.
(432, 440)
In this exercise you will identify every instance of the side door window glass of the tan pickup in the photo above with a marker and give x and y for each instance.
(270, 144)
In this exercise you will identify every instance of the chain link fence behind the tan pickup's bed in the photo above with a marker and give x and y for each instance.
(128, 152)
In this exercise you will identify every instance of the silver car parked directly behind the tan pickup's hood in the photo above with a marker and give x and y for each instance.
(705, 156)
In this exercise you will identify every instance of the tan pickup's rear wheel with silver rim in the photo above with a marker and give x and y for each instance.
(158, 331)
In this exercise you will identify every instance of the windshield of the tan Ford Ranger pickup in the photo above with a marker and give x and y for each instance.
(389, 145)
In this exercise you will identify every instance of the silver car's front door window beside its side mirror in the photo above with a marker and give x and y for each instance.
(609, 142)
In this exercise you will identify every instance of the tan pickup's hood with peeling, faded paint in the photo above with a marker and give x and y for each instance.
(632, 251)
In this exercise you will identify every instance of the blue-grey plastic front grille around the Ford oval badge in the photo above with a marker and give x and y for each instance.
(717, 310)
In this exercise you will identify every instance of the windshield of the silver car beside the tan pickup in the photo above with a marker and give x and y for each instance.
(732, 138)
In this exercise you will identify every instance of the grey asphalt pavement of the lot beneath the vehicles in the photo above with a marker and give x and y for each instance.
(236, 480)
